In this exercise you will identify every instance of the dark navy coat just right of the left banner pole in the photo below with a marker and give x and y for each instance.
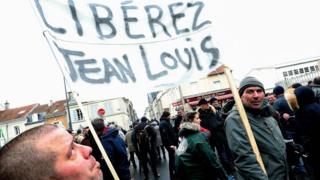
(116, 149)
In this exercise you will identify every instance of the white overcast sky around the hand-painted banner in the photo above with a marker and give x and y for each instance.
(249, 34)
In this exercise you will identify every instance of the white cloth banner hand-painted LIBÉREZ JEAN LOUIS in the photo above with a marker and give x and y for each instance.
(114, 48)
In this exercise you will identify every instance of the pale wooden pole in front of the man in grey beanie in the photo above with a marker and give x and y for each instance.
(244, 118)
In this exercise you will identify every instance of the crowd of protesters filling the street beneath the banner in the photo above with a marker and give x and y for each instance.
(209, 142)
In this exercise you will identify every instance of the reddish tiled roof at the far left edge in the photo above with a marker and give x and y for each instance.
(16, 113)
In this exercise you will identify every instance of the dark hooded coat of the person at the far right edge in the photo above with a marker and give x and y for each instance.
(308, 119)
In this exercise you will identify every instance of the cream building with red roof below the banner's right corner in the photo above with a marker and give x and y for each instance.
(215, 84)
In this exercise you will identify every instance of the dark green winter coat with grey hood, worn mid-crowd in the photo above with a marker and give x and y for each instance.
(198, 161)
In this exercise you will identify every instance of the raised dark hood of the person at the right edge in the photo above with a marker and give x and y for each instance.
(304, 95)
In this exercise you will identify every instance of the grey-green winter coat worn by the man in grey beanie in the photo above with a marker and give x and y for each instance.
(269, 141)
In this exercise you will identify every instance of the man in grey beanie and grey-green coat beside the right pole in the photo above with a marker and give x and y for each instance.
(266, 133)
